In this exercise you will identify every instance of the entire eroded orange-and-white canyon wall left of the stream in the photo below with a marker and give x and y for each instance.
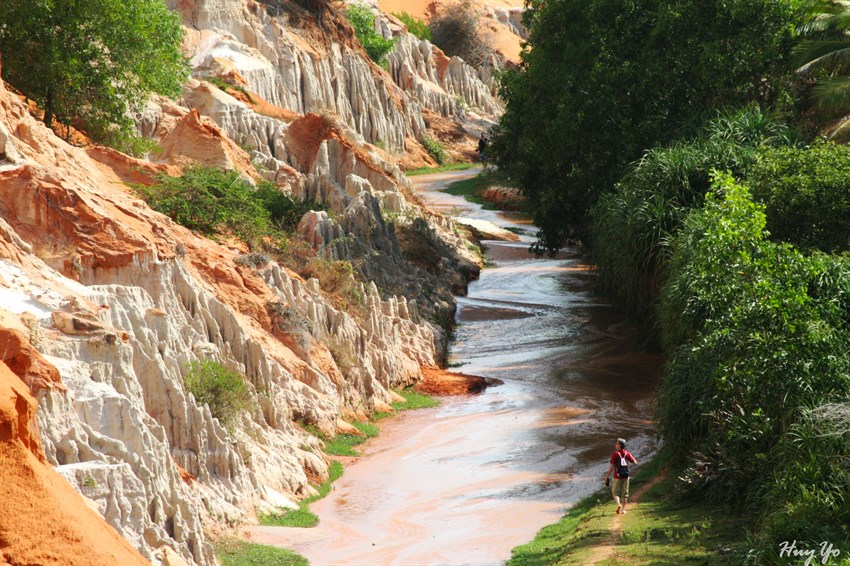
(110, 301)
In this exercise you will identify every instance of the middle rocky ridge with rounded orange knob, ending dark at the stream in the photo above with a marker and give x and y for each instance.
(317, 158)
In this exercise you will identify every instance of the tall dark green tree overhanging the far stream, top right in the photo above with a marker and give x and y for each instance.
(605, 80)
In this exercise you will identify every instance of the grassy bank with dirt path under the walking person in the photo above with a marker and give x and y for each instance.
(659, 528)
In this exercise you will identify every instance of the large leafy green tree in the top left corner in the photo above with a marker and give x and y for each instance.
(89, 63)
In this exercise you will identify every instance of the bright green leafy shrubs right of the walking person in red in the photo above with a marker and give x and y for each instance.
(757, 334)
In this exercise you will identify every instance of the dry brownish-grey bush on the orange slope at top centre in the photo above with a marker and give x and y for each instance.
(456, 32)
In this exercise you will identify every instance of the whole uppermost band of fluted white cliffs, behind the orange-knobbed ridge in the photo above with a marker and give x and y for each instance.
(309, 62)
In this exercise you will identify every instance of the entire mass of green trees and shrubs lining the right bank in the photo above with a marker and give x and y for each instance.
(753, 315)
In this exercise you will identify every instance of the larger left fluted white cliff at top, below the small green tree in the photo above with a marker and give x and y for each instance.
(291, 60)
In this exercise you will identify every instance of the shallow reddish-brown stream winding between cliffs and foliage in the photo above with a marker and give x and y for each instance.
(468, 481)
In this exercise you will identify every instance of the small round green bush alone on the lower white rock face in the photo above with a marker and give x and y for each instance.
(223, 389)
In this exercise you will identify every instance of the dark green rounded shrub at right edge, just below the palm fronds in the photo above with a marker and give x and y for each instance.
(807, 195)
